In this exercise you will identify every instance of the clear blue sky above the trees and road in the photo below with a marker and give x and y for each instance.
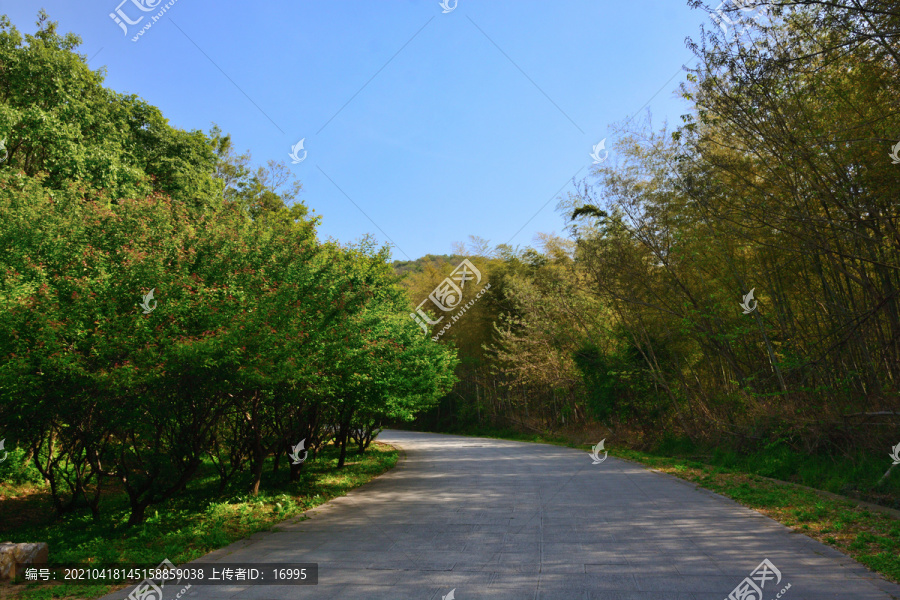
(437, 126)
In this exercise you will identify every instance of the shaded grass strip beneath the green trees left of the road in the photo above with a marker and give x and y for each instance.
(183, 529)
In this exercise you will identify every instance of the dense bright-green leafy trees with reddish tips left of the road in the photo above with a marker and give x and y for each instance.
(164, 303)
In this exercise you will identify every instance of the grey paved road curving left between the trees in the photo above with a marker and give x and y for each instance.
(501, 520)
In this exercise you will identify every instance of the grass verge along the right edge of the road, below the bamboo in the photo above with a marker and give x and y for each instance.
(871, 538)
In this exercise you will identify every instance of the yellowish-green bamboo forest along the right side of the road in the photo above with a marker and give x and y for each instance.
(730, 282)
